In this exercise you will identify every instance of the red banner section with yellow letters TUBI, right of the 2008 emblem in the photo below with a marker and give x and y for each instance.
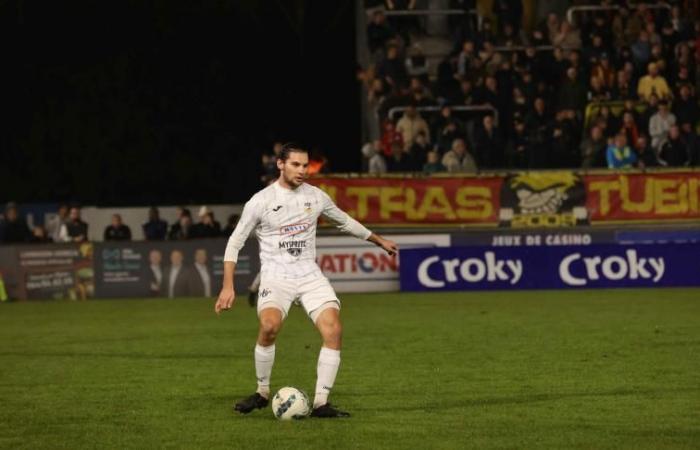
(643, 197)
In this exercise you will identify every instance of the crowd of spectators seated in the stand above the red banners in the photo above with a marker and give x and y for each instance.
(617, 90)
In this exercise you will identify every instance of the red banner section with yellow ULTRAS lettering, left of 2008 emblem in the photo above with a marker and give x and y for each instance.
(419, 201)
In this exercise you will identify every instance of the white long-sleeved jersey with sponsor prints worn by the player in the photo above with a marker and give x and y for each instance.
(285, 223)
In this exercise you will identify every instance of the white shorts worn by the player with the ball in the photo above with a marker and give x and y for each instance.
(313, 291)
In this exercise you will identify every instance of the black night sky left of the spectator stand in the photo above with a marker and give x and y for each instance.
(160, 101)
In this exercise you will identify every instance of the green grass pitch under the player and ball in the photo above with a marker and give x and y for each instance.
(586, 369)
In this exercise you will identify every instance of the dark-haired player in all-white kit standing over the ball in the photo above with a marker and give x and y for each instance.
(284, 216)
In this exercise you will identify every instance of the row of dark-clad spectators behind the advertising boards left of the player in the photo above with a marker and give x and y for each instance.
(67, 226)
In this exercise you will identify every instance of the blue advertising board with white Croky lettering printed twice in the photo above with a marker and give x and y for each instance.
(560, 267)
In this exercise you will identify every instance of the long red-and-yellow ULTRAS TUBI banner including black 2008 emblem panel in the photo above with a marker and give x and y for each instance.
(528, 200)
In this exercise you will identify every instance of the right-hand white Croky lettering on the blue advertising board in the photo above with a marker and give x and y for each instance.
(578, 270)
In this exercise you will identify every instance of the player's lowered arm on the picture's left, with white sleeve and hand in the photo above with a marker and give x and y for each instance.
(249, 220)
